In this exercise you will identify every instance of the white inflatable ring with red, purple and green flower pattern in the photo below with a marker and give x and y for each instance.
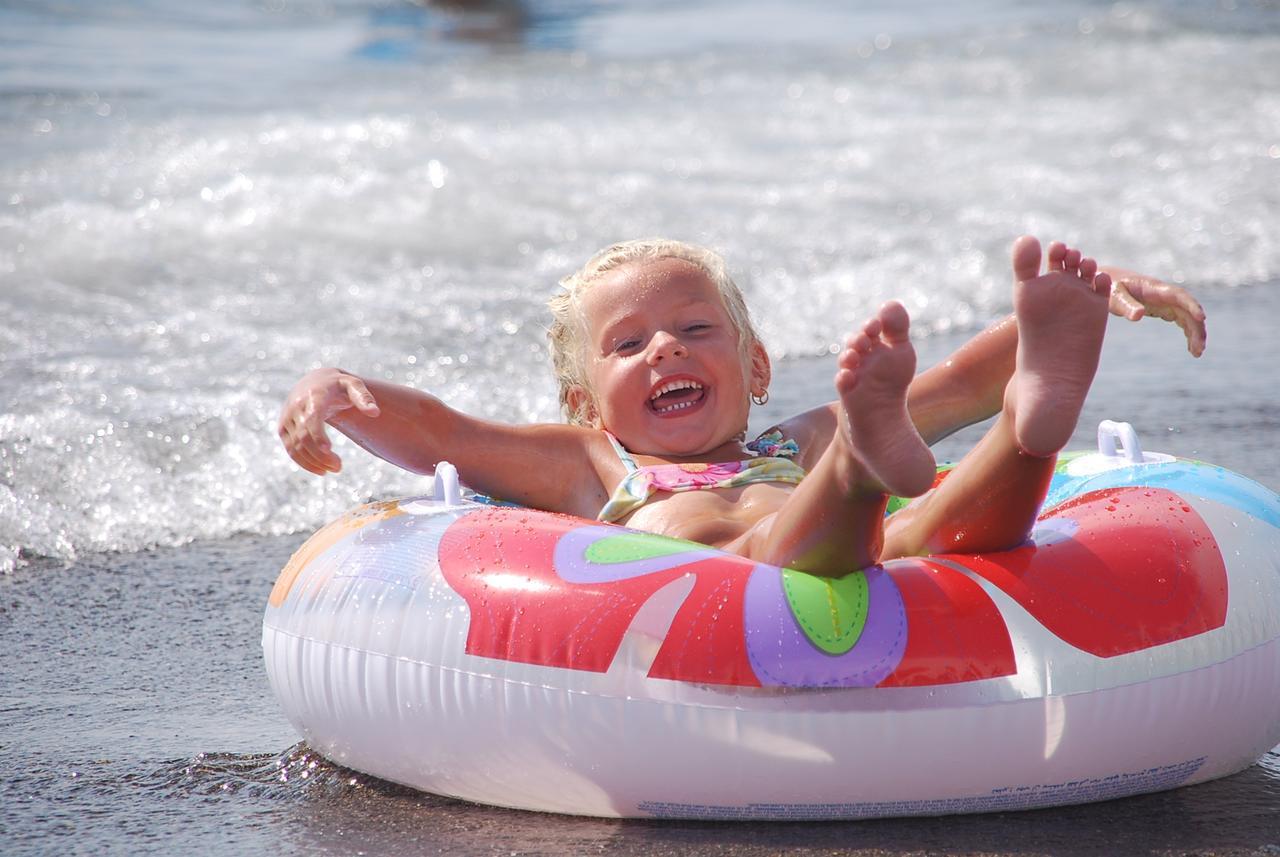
(534, 661)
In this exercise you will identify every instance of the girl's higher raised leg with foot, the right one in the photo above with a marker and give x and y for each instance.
(991, 499)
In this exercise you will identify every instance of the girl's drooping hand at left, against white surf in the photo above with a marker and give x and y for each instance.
(316, 400)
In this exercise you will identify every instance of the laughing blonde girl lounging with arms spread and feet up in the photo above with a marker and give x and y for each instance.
(659, 365)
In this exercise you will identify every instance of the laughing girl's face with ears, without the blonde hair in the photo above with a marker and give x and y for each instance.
(664, 363)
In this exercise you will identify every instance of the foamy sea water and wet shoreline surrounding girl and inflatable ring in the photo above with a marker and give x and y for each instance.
(199, 203)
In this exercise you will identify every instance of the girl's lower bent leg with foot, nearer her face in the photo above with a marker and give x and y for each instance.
(833, 524)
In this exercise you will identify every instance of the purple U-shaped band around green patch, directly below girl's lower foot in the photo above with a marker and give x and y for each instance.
(783, 656)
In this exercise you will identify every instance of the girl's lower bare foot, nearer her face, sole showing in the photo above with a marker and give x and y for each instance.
(875, 372)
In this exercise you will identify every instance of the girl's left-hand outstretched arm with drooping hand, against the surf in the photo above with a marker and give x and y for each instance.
(543, 466)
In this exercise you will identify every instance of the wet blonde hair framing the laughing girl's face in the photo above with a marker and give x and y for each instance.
(568, 333)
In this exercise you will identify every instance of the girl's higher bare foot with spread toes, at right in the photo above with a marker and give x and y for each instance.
(1062, 319)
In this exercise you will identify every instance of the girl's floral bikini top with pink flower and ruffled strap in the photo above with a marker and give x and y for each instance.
(772, 465)
